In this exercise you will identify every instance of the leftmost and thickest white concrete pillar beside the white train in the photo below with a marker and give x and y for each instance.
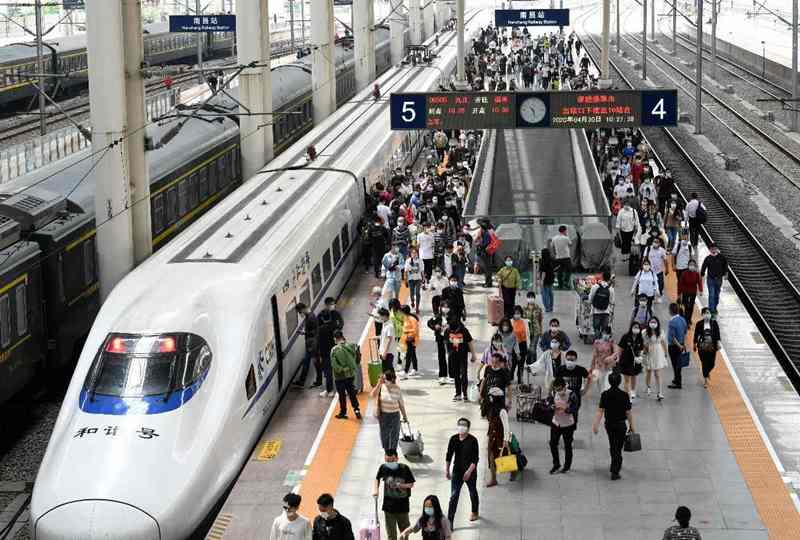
(108, 112)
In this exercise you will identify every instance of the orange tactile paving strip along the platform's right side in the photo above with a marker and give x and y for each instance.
(771, 496)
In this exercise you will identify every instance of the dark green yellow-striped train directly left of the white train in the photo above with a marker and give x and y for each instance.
(48, 279)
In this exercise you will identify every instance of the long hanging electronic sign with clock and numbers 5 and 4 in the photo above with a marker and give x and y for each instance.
(521, 110)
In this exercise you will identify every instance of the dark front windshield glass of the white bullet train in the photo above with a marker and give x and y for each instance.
(134, 365)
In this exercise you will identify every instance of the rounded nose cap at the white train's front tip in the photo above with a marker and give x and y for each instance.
(95, 520)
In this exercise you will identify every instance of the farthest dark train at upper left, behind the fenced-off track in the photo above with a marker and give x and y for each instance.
(68, 56)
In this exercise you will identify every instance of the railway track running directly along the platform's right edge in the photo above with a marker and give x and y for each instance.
(768, 294)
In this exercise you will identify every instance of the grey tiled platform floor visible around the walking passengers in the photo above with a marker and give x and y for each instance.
(707, 449)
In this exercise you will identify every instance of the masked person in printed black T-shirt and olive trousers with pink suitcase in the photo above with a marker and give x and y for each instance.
(398, 480)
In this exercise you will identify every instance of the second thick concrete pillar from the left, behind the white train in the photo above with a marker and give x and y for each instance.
(255, 93)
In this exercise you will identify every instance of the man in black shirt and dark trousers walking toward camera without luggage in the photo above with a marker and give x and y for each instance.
(463, 451)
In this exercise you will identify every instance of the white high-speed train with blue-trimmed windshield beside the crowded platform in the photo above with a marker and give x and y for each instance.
(192, 351)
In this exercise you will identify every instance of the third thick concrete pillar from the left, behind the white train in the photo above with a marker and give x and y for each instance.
(323, 60)
